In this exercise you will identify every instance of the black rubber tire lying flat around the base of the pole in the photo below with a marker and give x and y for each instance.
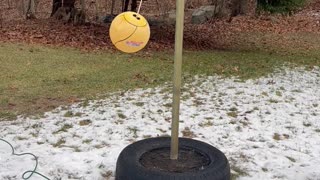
(130, 168)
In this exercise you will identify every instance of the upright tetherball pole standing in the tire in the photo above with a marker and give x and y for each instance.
(177, 80)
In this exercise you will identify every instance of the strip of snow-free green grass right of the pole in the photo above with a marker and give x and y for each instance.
(243, 64)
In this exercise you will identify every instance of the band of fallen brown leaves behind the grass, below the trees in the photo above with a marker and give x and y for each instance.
(215, 34)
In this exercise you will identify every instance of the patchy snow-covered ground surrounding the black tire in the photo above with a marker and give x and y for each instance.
(268, 128)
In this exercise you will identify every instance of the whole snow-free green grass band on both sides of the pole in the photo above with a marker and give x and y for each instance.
(35, 79)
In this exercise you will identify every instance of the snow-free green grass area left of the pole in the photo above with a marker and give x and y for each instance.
(34, 79)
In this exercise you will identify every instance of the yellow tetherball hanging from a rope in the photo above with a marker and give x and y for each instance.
(129, 32)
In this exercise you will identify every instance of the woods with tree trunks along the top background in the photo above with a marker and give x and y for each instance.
(78, 11)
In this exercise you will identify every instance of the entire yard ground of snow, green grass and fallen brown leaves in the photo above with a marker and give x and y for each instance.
(257, 98)
